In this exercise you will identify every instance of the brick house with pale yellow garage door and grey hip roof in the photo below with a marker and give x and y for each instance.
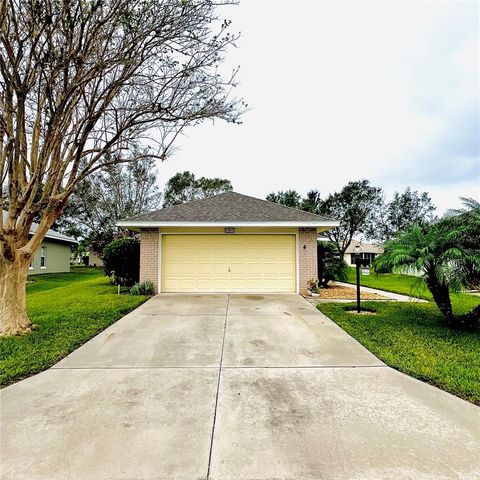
(229, 243)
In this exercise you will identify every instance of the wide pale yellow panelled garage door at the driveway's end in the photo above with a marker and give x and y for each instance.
(228, 263)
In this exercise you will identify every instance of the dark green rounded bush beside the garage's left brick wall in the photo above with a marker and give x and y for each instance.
(121, 260)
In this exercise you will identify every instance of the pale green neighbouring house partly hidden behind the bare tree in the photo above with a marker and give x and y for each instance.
(54, 253)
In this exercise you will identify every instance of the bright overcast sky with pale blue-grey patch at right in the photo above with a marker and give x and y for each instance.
(340, 91)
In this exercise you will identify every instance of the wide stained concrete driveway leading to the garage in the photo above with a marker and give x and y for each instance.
(232, 387)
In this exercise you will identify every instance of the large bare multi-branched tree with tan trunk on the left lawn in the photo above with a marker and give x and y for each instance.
(81, 81)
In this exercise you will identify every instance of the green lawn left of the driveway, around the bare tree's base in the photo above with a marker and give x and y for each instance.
(67, 309)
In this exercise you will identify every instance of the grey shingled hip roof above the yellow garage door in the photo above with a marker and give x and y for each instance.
(227, 207)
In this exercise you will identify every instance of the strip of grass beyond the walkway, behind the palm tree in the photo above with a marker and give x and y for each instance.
(413, 286)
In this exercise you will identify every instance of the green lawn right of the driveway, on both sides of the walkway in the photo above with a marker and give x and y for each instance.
(413, 338)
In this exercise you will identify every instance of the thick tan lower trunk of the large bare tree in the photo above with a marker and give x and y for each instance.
(13, 307)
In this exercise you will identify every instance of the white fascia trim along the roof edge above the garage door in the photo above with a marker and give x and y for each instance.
(325, 223)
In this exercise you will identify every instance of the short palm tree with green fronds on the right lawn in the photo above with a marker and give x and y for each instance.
(445, 251)
